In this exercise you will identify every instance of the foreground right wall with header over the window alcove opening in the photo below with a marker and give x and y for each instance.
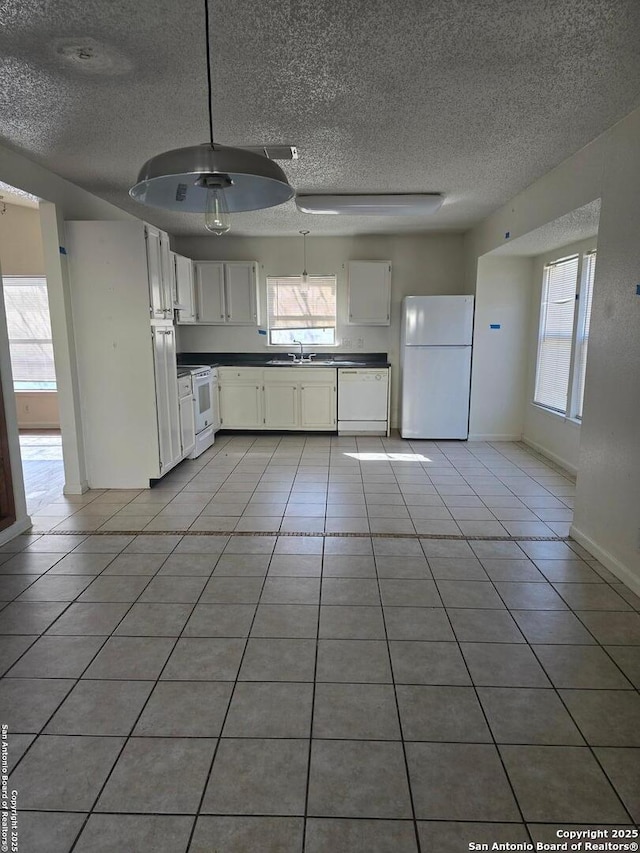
(607, 517)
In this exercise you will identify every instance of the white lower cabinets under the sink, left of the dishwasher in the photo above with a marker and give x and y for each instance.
(278, 398)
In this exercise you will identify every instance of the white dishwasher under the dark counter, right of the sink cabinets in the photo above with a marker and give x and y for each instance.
(363, 401)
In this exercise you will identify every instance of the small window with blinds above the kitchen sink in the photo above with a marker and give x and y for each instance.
(300, 310)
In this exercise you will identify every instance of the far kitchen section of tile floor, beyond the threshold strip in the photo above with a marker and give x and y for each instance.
(298, 483)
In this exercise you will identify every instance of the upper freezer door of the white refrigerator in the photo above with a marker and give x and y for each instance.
(437, 320)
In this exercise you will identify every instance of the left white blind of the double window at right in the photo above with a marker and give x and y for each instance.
(556, 334)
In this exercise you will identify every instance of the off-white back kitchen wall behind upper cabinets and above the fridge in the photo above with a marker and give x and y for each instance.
(424, 264)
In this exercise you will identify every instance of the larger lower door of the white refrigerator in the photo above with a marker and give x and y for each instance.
(435, 392)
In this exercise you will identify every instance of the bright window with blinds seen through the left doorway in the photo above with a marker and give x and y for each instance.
(29, 328)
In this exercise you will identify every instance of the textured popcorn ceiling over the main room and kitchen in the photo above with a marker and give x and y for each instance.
(472, 98)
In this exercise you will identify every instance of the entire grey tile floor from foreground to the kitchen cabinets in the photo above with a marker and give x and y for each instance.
(358, 693)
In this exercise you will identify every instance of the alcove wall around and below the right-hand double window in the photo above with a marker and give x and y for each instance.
(556, 436)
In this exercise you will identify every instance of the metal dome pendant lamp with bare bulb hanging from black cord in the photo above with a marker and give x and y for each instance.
(212, 179)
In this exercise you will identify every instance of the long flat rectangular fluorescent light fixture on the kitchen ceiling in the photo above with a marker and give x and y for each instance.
(397, 204)
